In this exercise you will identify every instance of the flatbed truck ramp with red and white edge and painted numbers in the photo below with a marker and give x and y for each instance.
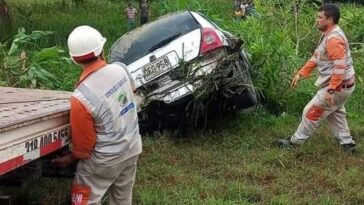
(33, 123)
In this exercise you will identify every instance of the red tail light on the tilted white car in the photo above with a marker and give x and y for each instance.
(209, 40)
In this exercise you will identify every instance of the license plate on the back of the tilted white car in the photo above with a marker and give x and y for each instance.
(156, 67)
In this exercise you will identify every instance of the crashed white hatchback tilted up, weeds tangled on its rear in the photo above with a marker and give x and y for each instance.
(185, 69)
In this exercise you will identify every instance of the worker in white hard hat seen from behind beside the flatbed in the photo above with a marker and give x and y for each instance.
(105, 131)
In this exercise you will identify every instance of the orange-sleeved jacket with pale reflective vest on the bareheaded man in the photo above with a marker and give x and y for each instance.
(332, 58)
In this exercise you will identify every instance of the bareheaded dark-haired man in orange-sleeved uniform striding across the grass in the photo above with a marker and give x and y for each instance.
(336, 83)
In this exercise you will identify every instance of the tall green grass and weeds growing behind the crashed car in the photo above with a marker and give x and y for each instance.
(280, 41)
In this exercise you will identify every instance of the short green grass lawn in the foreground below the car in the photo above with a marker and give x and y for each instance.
(238, 163)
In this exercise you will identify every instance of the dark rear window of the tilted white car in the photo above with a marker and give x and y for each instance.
(141, 41)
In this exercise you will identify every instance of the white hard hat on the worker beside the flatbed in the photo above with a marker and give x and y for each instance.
(84, 43)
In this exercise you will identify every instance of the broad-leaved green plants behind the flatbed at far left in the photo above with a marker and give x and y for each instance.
(27, 65)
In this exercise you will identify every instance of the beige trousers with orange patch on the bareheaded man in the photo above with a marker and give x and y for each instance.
(318, 110)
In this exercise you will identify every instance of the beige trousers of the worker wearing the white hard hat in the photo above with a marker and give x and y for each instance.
(92, 182)
